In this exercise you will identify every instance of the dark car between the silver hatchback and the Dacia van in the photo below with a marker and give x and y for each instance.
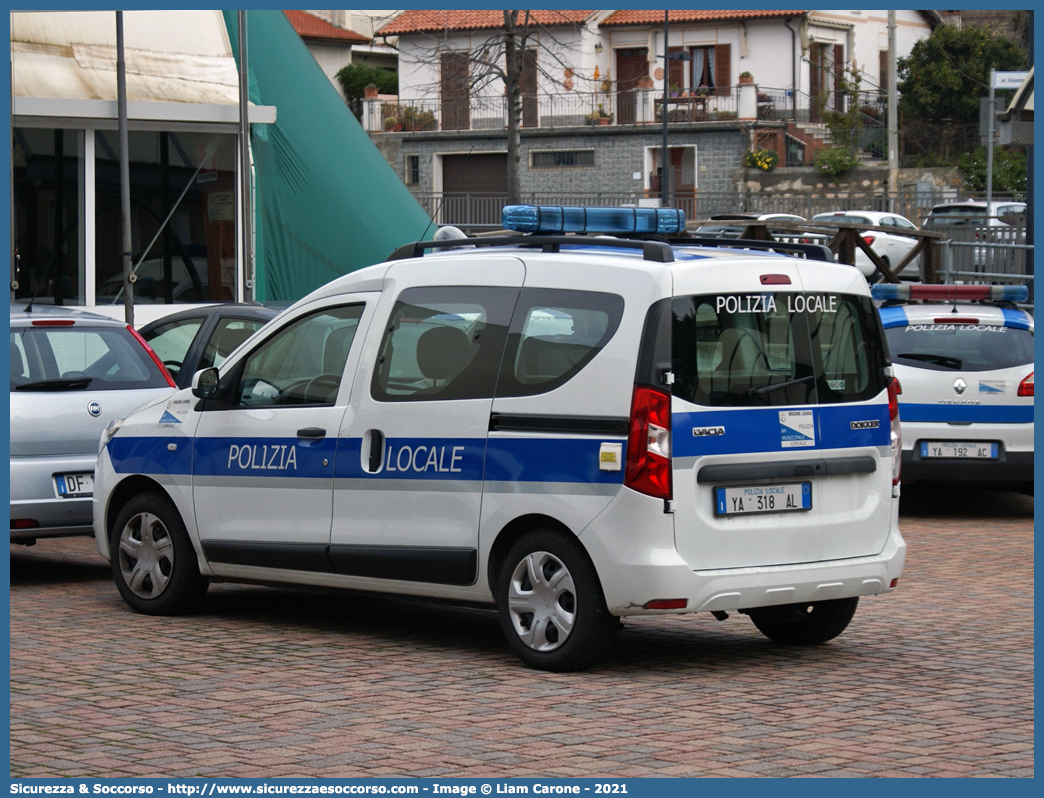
(201, 338)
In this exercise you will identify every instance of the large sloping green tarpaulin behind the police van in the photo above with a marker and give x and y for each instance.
(327, 202)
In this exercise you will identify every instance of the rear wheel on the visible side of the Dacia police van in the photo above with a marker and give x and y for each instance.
(553, 609)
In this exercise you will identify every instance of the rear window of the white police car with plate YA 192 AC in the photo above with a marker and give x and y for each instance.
(960, 347)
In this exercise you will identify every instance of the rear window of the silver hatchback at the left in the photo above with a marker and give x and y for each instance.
(108, 359)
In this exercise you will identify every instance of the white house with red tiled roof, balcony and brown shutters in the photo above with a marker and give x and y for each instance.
(594, 85)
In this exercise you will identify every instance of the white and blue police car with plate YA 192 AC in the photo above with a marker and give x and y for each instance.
(965, 364)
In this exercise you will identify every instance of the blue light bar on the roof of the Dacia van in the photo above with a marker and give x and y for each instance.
(558, 219)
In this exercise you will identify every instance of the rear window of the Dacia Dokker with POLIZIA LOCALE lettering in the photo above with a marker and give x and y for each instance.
(777, 349)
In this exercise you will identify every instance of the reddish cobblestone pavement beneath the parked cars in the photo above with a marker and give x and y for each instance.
(934, 680)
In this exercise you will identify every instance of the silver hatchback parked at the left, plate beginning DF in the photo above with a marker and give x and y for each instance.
(72, 373)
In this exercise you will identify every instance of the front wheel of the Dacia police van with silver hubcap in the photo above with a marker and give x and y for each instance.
(154, 565)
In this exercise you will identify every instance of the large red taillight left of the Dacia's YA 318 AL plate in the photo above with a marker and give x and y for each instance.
(649, 443)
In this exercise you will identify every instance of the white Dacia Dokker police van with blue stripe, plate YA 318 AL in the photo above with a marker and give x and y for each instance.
(574, 429)
